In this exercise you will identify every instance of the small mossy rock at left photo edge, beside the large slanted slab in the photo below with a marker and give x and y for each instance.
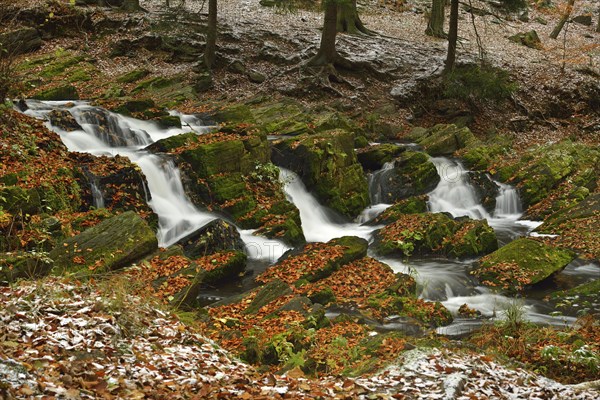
(21, 265)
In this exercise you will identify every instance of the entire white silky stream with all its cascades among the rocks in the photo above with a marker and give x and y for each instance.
(438, 279)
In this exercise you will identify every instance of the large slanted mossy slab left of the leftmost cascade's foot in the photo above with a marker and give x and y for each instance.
(112, 244)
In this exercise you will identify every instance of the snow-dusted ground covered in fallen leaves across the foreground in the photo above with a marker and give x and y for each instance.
(70, 340)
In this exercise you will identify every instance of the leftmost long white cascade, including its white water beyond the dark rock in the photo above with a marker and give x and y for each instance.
(178, 217)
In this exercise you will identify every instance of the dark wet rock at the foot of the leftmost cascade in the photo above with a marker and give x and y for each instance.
(215, 236)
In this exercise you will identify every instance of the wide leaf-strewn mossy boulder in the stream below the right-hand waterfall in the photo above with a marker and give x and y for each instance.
(436, 234)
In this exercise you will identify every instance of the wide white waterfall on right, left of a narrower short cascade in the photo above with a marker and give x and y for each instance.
(454, 194)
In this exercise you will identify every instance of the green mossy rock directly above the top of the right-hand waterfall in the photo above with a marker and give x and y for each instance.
(443, 140)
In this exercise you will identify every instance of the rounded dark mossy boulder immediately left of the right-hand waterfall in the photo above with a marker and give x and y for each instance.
(413, 174)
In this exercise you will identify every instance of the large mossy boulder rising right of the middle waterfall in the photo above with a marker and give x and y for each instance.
(327, 165)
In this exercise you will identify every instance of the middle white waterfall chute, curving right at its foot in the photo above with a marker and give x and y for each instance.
(317, 222)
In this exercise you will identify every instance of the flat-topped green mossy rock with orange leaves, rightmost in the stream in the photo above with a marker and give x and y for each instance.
(520, 263)
